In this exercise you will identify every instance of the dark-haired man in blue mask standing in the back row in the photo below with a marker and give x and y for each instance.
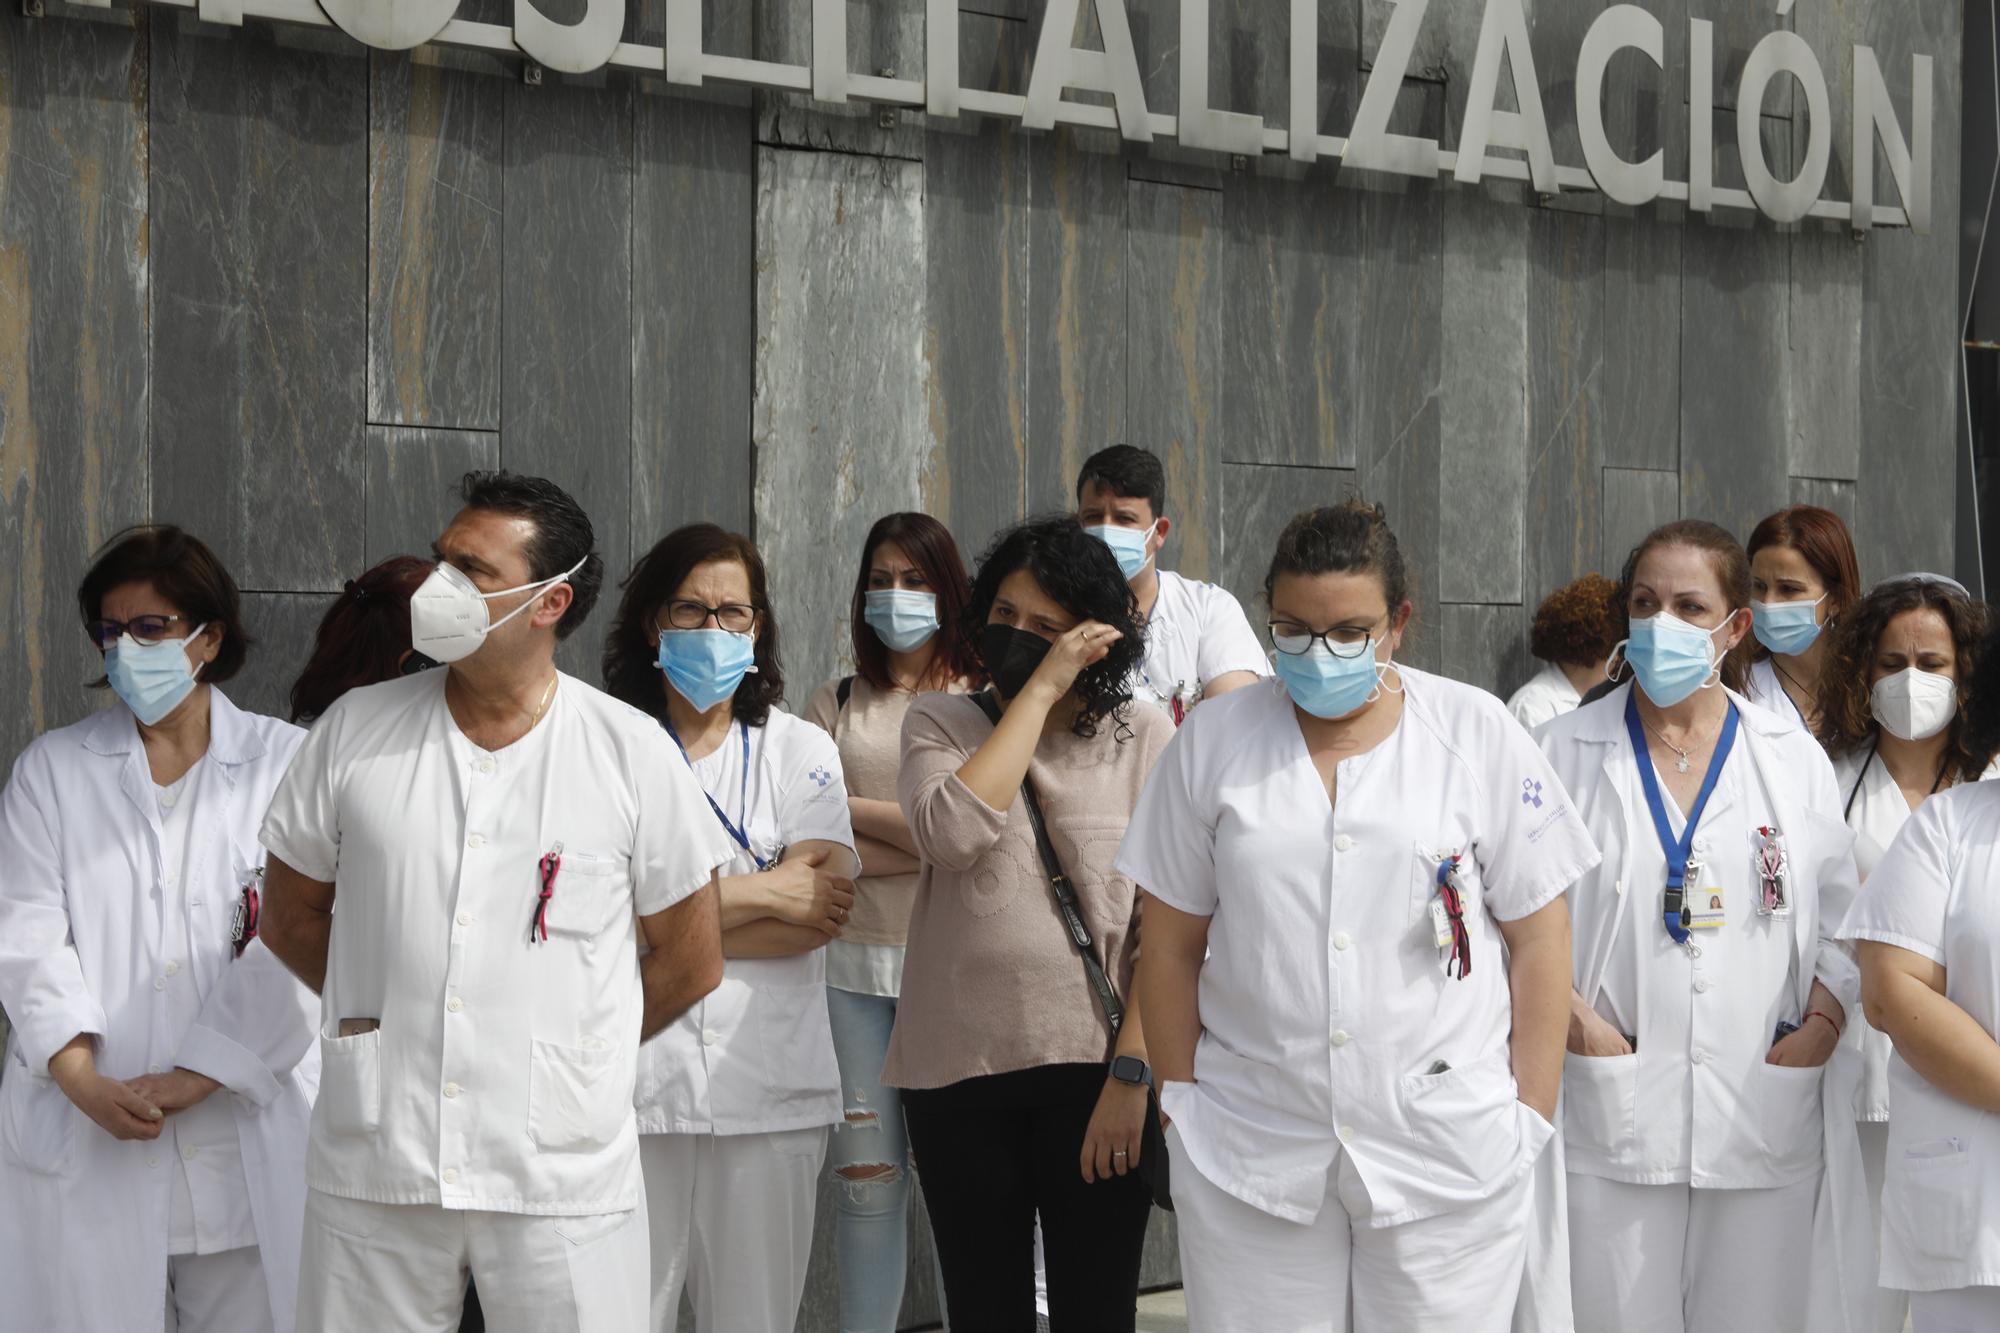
(1199, 643)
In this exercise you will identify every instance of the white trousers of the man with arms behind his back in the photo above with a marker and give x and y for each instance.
(379, 1268)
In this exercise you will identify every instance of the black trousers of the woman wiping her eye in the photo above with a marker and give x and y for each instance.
(993, 1154)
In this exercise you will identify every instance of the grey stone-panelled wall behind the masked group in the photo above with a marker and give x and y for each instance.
(285, 291)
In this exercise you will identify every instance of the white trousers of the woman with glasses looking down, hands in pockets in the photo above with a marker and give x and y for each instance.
(1249, 1272)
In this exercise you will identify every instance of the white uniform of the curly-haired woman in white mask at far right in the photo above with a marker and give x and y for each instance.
(1859, 1072)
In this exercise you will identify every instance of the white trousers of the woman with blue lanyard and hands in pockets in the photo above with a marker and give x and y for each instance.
(1679, 1260)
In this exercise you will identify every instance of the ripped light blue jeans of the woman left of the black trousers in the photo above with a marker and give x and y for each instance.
(871, 1164)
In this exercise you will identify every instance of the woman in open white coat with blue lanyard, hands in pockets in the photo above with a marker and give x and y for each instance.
(1709, 986)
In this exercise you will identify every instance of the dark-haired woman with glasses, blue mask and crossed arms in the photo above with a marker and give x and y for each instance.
(737, 1098)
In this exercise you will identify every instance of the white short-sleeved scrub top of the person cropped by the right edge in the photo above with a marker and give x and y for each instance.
(1933, 896)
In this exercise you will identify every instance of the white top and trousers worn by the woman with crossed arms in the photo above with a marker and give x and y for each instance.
(737, 1098)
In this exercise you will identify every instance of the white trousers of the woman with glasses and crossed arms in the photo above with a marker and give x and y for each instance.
(733, 1224)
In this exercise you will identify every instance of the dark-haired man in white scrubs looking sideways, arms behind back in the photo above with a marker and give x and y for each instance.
(501, 838)
